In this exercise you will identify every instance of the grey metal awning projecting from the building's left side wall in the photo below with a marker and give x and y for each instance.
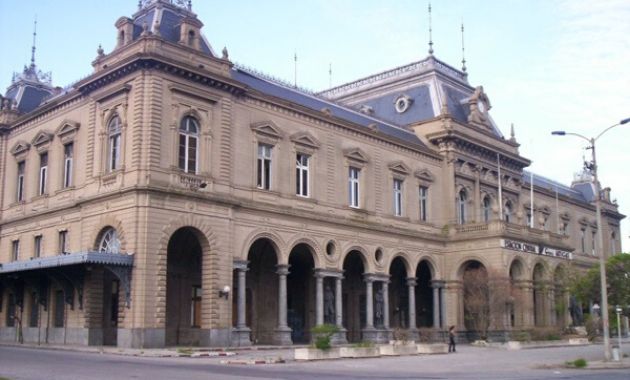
(102, 258)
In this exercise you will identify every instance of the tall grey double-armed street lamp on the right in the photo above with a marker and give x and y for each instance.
(592, 167)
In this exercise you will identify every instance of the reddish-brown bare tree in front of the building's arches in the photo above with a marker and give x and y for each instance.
(486, 299)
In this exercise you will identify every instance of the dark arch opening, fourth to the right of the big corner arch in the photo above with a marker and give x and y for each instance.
(398, 294)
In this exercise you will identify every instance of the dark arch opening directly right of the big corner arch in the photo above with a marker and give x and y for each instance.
(262, 291)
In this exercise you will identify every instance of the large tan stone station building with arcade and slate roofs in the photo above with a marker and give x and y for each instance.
(180, 162)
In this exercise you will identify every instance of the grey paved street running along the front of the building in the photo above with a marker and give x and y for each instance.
(467, 363)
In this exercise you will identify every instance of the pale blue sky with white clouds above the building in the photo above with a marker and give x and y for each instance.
(545, 64)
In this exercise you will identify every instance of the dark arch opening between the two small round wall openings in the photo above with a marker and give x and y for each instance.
(353, 296)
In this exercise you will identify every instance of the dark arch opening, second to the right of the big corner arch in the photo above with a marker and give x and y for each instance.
(301, 293)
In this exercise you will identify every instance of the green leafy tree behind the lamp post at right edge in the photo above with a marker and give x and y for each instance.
(587, 286)
